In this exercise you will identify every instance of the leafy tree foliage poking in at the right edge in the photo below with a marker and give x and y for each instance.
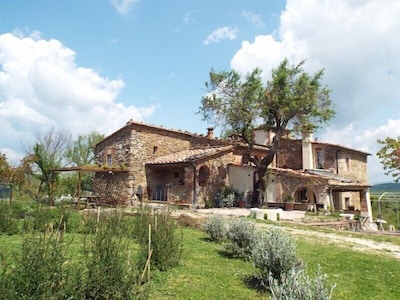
(390, 156)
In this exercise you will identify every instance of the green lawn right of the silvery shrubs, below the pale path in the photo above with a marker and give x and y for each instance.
(357, 275)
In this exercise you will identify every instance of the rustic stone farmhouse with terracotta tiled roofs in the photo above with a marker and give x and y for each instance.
(158, 164)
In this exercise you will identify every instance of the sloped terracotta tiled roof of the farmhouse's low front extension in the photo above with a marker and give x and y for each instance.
(189, 155)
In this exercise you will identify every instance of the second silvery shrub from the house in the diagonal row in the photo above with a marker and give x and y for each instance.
(241, 234)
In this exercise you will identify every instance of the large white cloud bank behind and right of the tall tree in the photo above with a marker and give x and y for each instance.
(355, 42)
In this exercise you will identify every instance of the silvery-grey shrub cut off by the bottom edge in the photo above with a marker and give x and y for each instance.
(296, 284)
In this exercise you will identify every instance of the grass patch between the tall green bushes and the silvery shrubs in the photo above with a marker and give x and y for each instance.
(205, 274)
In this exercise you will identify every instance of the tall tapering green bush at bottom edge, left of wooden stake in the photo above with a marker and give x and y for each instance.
(109, 269)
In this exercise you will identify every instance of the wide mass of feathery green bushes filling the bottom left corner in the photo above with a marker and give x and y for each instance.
(42, 269)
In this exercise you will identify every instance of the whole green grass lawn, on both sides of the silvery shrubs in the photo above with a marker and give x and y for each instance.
(205, 273)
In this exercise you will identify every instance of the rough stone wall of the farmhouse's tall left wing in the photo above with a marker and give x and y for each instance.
(135, 144)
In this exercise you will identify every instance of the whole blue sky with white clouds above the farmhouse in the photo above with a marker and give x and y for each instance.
(95, 64)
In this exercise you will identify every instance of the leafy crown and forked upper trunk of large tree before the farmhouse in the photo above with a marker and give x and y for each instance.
(292, 101)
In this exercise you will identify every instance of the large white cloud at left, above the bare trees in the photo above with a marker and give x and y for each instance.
(42, 87)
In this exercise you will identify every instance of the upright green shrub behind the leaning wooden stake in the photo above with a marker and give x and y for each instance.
(165, 242)
